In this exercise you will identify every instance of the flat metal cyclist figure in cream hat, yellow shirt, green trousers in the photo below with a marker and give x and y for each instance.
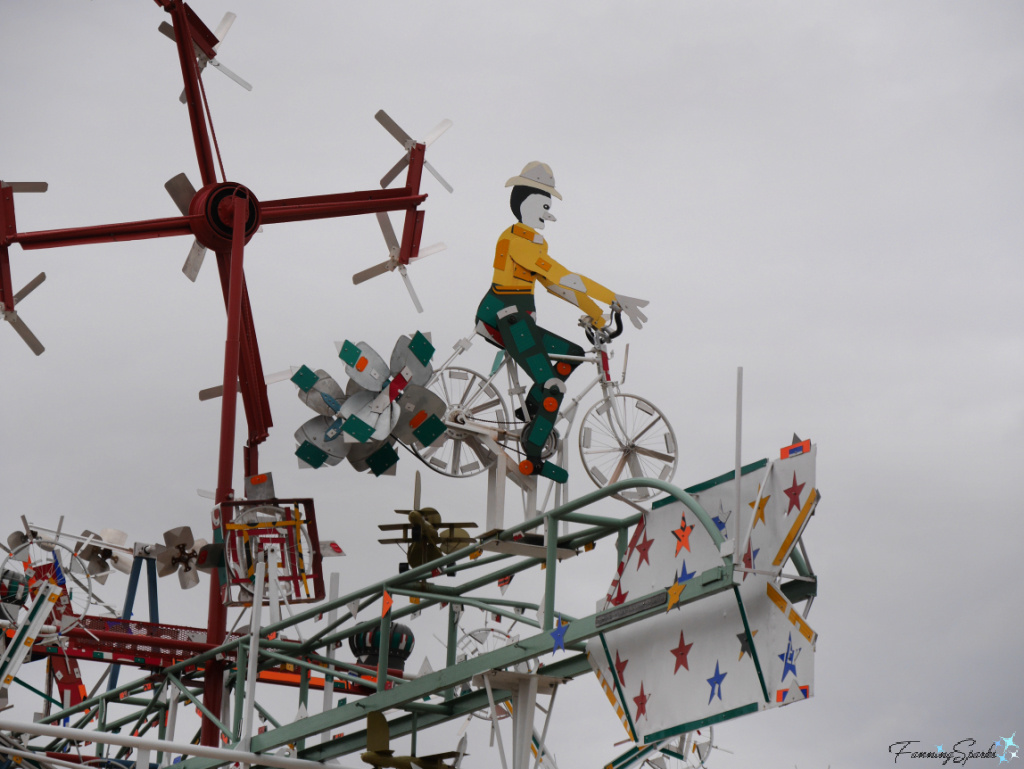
(507, 314)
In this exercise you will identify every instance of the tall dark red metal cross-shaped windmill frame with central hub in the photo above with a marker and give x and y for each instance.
(242, 360)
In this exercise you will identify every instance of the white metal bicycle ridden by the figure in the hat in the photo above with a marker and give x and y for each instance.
(621, 437)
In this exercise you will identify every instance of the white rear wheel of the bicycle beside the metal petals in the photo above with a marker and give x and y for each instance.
(471, 401)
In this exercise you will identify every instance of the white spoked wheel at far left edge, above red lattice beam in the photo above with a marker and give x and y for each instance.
(30, 565)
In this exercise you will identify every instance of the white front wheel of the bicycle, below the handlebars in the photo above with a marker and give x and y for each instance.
(625, 437)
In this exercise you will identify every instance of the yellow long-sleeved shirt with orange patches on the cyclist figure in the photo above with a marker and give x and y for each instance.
(522, 260)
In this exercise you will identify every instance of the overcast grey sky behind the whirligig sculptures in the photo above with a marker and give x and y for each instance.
(827, 194)
